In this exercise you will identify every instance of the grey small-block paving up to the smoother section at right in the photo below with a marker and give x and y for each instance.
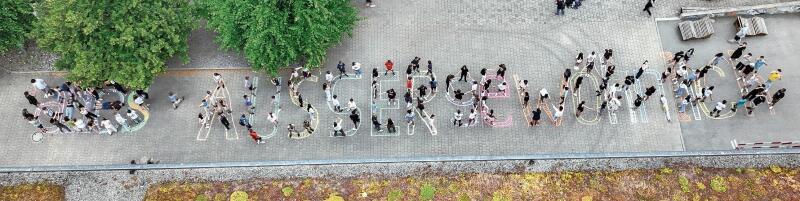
(523, 35)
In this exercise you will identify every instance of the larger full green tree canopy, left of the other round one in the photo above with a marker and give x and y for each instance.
(127, 41)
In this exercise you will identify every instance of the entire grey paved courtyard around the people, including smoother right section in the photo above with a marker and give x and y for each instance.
(525, 36)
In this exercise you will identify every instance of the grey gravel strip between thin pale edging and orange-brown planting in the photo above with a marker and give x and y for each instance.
(119, 185)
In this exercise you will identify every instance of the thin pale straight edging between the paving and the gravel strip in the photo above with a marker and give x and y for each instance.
(559, 156)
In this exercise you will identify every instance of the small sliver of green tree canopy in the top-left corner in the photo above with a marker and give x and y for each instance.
(16, 17)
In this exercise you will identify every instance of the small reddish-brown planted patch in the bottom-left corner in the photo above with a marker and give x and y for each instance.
(35, 191)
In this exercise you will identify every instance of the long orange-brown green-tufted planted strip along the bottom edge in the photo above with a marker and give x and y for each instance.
(677, 183)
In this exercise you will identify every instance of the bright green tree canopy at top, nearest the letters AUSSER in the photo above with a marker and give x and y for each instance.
(277, 33)
